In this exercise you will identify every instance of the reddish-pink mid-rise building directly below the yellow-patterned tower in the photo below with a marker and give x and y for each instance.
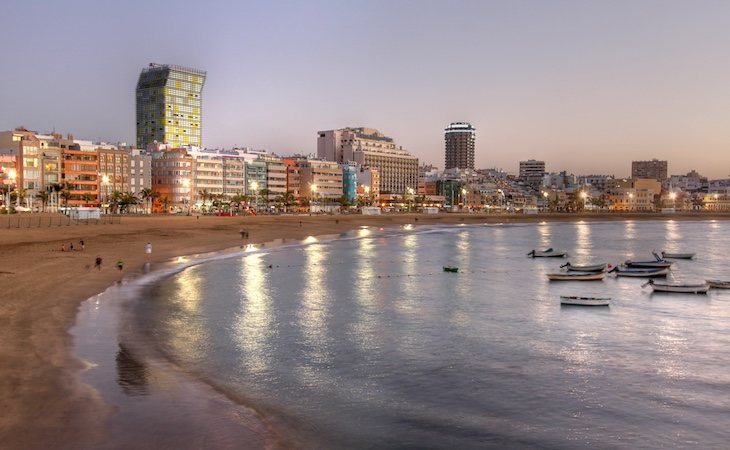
(172, 174)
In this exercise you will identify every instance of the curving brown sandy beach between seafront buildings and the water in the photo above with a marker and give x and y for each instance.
(43, 402)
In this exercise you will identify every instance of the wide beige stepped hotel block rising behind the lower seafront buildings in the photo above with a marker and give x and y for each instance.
(369, 148)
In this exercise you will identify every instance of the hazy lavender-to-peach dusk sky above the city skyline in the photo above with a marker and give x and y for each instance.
(586, 86)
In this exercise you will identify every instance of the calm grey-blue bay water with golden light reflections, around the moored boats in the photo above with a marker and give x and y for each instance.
(364, 342)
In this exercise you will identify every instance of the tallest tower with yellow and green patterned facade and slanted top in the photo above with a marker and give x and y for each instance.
(169, 105)
